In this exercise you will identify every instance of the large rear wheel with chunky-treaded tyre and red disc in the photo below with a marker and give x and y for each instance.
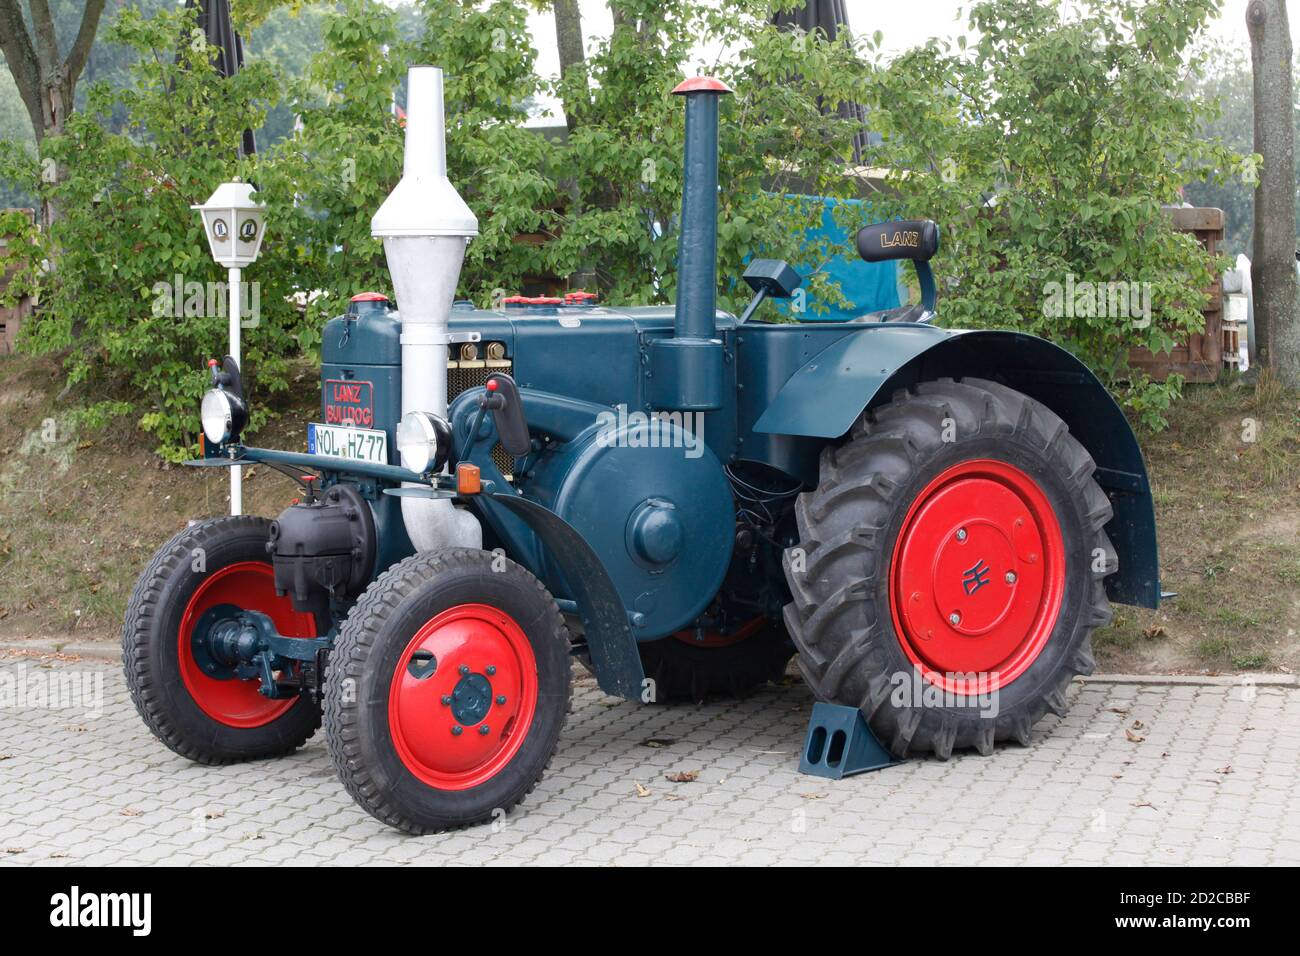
(950, 491)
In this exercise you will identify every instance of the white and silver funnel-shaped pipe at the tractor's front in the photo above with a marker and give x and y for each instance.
(426, 226)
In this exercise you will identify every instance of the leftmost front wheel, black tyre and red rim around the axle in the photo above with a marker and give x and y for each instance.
(218, 563)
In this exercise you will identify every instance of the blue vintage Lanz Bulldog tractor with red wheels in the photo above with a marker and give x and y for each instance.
(678, 498)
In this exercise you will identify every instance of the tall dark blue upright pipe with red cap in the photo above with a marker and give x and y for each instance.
(687, 370)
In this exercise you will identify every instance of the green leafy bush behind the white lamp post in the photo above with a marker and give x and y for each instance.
(127, 231)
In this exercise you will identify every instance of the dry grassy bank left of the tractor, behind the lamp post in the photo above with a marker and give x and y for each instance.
(85, 504)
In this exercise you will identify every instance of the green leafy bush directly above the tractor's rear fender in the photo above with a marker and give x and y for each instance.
(1046, 150)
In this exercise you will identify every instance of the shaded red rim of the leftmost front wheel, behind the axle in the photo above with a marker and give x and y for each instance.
(252, 586)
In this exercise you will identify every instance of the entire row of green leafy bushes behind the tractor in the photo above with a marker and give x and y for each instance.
(1045, 152)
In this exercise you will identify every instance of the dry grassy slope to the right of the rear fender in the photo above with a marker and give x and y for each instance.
(1227, 485)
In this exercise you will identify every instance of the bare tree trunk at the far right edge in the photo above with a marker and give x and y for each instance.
(1273, 269)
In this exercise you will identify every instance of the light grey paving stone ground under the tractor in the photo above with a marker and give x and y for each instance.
(1214, 780)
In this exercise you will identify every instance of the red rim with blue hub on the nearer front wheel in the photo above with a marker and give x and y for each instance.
(463, 697)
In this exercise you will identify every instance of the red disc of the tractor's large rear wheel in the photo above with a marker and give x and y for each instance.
(978, 577)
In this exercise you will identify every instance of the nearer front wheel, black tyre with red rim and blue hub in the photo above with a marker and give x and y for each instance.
(448, 690)
